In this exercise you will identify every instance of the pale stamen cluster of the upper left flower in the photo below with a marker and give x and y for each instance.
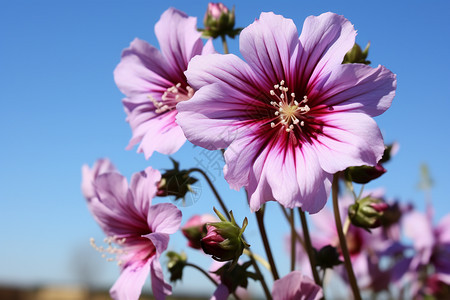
(171, 97)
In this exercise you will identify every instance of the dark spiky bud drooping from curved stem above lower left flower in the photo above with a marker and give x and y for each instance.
(175, 182)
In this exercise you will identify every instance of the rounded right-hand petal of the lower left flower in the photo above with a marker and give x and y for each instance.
(164, 218)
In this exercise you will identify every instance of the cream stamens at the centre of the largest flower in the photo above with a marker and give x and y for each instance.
(289, 111)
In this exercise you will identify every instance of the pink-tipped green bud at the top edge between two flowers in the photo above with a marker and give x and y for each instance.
(219, 21)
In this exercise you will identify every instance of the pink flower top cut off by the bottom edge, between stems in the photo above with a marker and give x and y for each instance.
(296, 286)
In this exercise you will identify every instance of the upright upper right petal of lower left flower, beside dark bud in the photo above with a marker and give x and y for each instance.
(144, 186)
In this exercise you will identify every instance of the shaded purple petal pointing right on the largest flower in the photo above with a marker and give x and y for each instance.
(355, 87)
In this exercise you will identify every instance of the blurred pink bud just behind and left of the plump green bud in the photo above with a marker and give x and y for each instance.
(195, 229)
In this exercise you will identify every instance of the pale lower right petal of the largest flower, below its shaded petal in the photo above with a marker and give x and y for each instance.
(352, 137)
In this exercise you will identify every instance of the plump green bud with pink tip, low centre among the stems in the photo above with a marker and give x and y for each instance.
(224, 240)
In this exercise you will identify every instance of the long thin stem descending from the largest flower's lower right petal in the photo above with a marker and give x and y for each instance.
(342, 241)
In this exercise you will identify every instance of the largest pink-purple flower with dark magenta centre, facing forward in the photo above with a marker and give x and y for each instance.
(291, 115)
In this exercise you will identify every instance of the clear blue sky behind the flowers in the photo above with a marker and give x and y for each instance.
(61, 109)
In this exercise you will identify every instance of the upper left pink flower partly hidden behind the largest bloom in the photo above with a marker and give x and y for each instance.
(153, 82)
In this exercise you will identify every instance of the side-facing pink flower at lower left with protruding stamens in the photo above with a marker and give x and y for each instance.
(142, 230)
